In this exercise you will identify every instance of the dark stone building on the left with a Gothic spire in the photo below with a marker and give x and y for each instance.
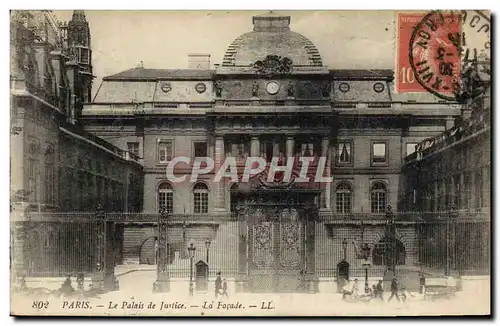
(57, 166)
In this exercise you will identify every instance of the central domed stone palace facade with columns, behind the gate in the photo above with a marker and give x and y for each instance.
(271, 96)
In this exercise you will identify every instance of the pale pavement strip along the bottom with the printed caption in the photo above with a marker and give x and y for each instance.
(135, 297)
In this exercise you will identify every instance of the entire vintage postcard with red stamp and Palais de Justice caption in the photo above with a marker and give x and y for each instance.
(251, 170)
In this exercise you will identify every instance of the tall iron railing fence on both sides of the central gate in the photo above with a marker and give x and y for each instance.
(55, 244)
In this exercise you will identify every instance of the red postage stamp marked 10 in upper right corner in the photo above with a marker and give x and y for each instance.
(428, 53)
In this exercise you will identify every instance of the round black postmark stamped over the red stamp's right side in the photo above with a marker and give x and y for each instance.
(445, 57)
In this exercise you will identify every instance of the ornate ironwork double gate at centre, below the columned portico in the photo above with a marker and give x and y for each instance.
(278, 236)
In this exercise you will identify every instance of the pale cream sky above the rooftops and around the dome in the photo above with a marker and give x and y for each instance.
(163, 39)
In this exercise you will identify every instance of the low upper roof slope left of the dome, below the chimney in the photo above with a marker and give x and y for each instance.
(155, 74)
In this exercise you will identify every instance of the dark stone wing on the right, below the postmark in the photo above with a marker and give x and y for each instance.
(449, 176)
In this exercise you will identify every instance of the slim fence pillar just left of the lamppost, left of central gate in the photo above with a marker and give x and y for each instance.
(162, 283)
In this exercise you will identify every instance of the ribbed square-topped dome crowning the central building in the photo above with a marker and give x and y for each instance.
(271, 36)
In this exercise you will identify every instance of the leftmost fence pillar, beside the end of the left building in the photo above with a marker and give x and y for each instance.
(104, 271)
